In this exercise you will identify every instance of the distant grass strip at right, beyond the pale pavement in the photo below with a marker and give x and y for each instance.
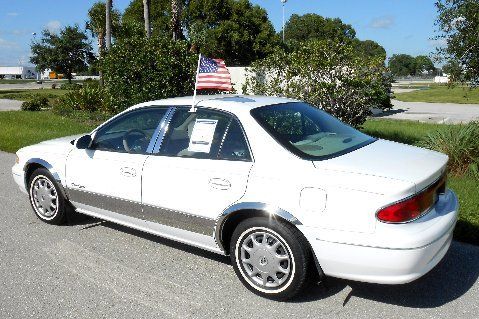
(442, 94)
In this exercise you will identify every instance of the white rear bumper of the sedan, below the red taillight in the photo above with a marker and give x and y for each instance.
(392, 265)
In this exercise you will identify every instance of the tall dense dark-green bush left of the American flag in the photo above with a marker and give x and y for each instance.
(136, 70)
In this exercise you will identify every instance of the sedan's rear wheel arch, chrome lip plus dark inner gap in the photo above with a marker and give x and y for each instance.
(233, 215)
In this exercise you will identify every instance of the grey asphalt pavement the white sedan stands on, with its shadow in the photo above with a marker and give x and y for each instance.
(96, 269)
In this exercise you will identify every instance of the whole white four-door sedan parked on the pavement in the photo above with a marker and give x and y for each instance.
(283, 188)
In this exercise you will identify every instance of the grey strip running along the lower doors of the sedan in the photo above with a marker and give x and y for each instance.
(154, 214)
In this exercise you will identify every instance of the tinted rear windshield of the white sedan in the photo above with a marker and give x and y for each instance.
(309, 132)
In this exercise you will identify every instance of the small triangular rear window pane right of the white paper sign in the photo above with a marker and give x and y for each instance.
(234, 146)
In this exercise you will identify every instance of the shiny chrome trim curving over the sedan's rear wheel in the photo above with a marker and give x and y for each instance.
(255, 206)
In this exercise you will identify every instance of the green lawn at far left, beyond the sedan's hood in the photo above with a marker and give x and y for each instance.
(19, 129)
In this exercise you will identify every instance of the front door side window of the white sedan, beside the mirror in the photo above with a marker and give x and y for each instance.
(130, 133)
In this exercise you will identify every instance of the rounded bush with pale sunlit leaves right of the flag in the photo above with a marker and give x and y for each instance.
(328, 74)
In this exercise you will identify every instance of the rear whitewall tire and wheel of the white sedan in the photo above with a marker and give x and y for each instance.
(260, 247)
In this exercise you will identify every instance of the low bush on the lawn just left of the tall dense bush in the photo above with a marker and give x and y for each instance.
(88, 98)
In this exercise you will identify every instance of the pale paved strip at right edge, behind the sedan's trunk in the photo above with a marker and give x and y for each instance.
(432, 112)
